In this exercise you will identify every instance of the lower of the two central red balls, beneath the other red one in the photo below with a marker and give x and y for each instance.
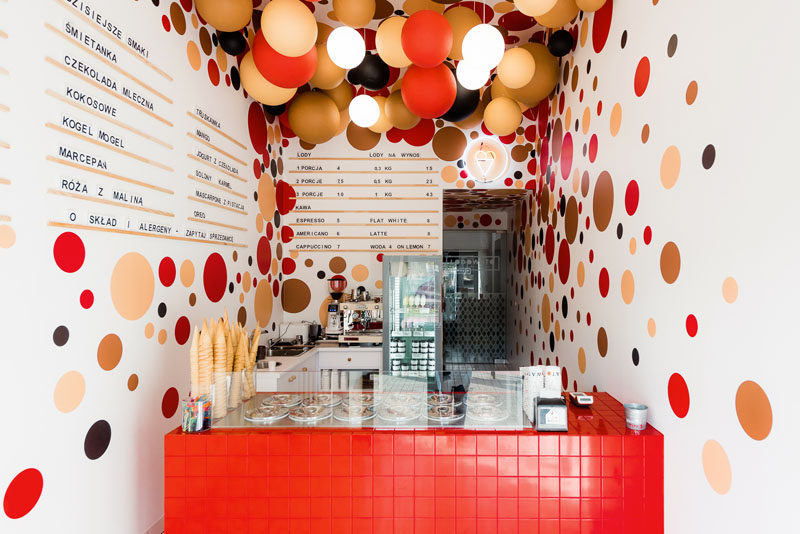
(428, 93)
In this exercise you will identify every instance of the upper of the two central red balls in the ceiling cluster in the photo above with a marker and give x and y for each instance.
(426, 38)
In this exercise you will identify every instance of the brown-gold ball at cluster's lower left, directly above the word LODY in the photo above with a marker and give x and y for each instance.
(313, 116)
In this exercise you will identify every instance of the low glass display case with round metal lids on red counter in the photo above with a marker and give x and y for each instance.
(489, 400)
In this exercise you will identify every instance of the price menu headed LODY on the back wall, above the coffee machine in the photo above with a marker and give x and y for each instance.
(386, 201)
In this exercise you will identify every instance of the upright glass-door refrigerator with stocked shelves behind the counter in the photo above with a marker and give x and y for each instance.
(412, 329)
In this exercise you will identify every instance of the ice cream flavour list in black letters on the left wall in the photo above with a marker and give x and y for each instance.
(126, 153)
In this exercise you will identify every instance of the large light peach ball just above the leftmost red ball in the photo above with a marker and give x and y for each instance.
(289, 27)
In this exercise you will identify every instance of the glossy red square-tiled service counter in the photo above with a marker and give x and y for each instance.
(598, 477)
